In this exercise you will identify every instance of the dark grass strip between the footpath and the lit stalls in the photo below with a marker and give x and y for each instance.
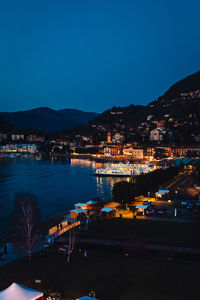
(173, 233)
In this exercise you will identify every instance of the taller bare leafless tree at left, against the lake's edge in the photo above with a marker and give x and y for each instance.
(25, 221)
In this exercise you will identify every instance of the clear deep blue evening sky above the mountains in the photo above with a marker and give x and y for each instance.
(92, 55)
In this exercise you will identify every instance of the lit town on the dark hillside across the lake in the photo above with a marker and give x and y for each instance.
(167, 128)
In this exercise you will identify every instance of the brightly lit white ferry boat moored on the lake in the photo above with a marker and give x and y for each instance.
(125, 170)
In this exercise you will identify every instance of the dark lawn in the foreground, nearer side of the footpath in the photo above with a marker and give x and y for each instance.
(110, 275)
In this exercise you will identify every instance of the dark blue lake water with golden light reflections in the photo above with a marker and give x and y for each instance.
(56, 185)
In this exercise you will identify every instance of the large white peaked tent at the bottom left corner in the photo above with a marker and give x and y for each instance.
(19, 292)
